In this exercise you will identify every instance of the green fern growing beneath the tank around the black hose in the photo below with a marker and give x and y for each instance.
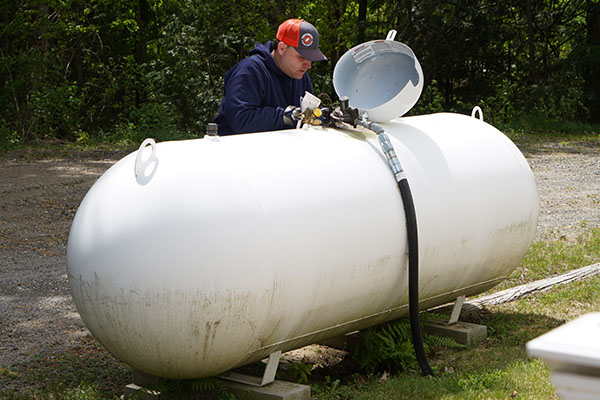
(389, 347)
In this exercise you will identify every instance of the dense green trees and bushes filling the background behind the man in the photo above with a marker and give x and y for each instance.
(75, 70)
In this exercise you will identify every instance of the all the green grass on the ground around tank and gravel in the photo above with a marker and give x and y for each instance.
(496, 369)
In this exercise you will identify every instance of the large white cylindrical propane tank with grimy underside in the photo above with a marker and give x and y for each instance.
(189, 258)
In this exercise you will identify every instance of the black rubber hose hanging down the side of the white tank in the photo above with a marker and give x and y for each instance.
(413, 275)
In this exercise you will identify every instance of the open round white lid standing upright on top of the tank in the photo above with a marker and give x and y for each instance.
(382, 78)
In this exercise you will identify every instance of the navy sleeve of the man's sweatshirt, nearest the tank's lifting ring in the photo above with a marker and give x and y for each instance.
(243, 110)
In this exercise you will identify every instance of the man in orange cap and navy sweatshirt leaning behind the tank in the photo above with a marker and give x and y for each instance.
(262, 90)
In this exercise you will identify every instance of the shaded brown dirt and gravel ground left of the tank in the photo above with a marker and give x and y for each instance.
(39, 200)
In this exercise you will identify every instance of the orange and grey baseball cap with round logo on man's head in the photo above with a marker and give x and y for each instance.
(303, 36)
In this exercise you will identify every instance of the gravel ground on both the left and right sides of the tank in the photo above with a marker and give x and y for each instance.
(39, 199)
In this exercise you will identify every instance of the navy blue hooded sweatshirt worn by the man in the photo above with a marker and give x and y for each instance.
(257, 93)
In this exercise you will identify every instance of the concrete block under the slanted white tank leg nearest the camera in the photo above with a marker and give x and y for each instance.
(278, 390)
